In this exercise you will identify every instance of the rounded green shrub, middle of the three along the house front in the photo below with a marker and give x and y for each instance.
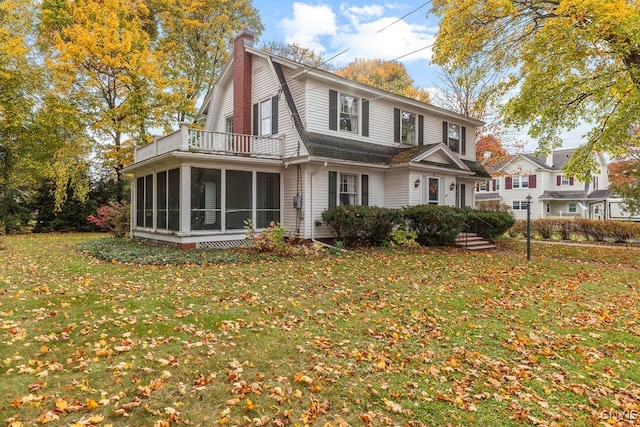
(434, 225)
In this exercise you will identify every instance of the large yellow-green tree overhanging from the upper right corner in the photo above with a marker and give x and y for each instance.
(562, 62)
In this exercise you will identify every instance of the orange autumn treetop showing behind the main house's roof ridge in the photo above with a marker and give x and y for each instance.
(387, 75)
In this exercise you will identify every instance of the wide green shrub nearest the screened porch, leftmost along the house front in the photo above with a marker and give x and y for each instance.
(361, 225)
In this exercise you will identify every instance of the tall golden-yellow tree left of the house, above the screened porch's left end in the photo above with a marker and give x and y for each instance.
(102, 62)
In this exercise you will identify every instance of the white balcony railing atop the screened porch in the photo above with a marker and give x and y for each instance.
(200, 141)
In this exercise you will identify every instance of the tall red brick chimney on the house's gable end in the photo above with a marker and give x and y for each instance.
(242, 83)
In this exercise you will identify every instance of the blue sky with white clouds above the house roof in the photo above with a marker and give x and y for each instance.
(374, 29)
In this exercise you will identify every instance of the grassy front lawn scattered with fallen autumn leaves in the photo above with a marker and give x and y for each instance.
(373, 337)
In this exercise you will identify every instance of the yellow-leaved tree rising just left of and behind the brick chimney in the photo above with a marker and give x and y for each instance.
(195, 40)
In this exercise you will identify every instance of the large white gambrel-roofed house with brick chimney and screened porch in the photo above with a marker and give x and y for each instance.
(282, 142)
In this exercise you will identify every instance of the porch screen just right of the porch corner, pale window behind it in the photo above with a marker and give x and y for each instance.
(205, 199)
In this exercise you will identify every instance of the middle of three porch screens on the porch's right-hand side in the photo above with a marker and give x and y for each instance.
(239, 199)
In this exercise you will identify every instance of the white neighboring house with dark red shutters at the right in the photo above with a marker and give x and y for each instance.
(553, 194)
